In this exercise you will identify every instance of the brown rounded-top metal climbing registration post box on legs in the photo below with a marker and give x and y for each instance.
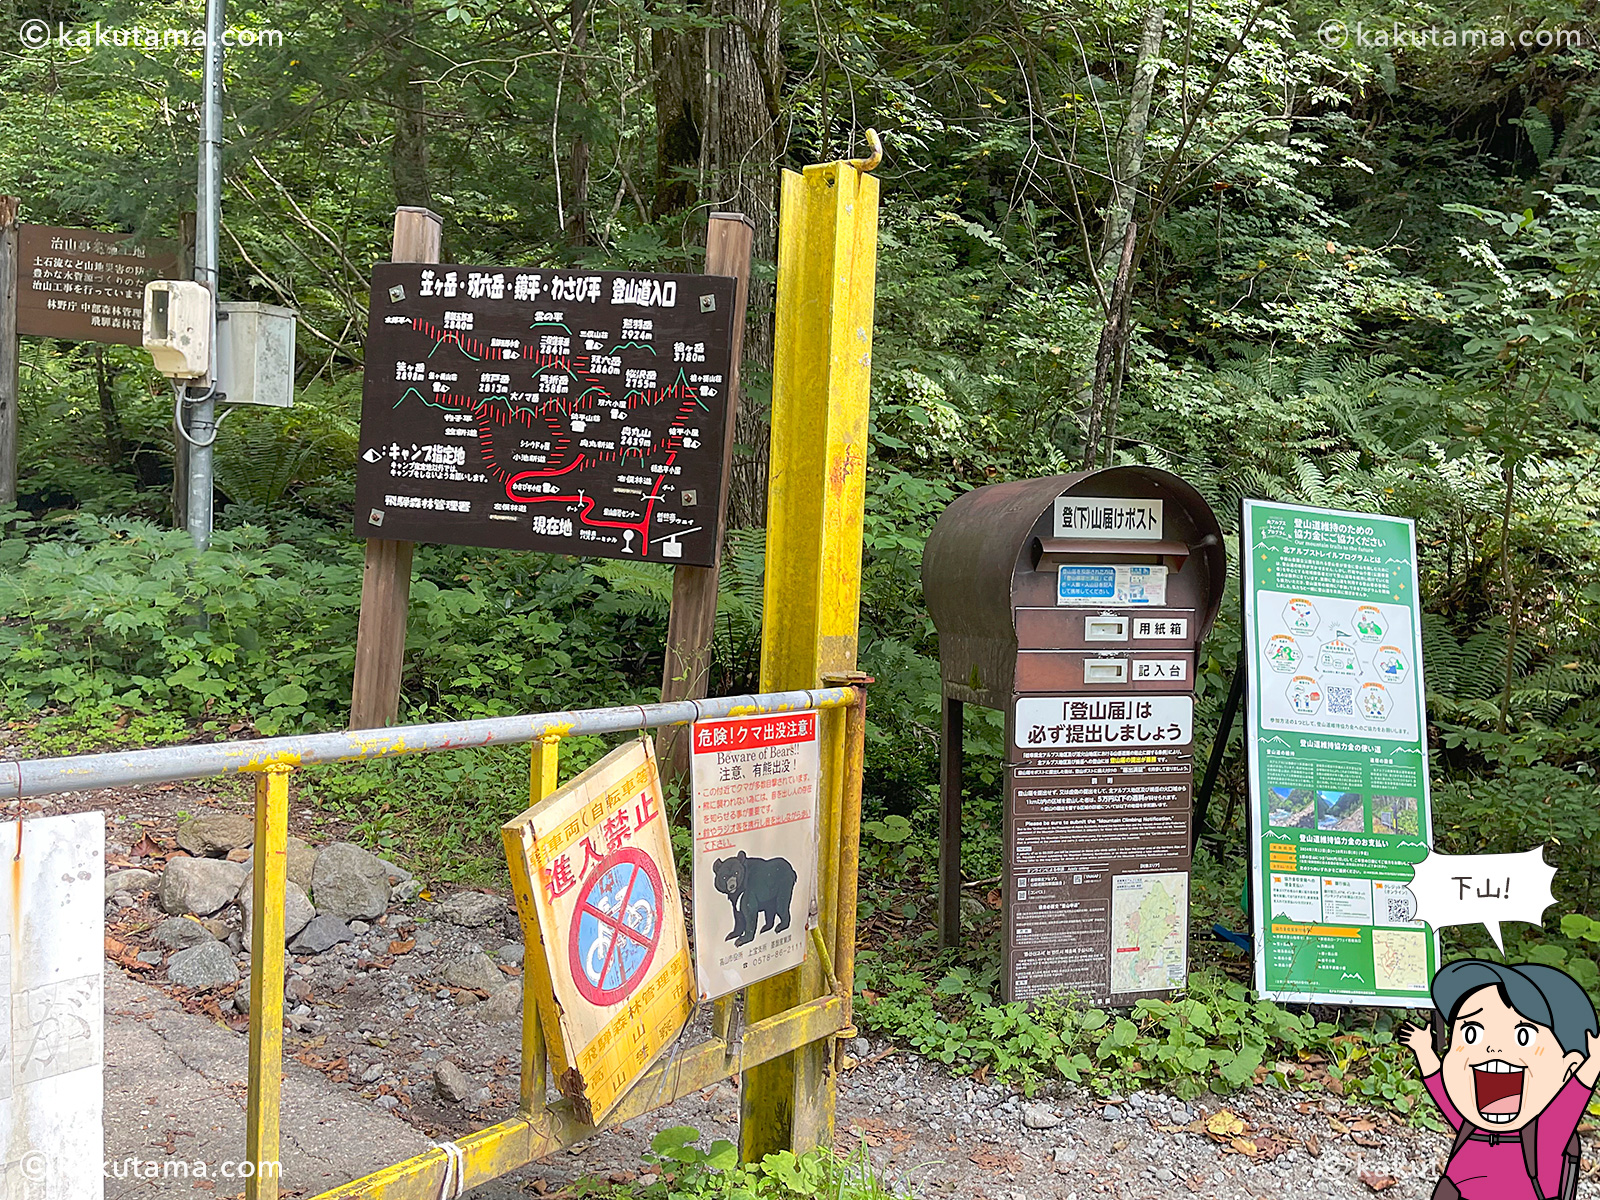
(1076, 606)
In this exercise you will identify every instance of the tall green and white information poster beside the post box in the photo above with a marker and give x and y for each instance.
(1338, 756)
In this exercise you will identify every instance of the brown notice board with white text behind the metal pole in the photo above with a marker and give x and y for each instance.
(84, 286)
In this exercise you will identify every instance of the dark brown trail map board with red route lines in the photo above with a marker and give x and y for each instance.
(577, 412)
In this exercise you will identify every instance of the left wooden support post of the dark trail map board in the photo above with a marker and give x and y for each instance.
(386, 580)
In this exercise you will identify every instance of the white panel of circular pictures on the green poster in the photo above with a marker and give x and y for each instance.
(1335, 666)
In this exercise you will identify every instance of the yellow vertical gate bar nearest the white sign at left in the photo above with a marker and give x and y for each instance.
(266, 982)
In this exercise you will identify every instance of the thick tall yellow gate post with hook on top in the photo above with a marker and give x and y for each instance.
(817, 497)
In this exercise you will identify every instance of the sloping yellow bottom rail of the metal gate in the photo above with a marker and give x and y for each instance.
(503, 1148)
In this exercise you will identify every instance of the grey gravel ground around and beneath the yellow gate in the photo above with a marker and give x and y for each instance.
(378, 1017)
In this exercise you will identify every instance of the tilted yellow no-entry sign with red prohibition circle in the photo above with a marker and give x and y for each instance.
(596, 886)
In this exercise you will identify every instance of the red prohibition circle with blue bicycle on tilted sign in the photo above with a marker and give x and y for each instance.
(617, 927)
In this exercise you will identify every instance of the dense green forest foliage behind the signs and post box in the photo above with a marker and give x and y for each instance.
(1364, 278)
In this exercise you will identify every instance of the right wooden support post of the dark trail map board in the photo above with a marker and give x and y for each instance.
(694, 617)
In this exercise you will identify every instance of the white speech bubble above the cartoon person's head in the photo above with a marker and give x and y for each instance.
(1484, 889)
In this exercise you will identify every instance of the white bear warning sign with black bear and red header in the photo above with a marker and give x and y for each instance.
(756, 786)
